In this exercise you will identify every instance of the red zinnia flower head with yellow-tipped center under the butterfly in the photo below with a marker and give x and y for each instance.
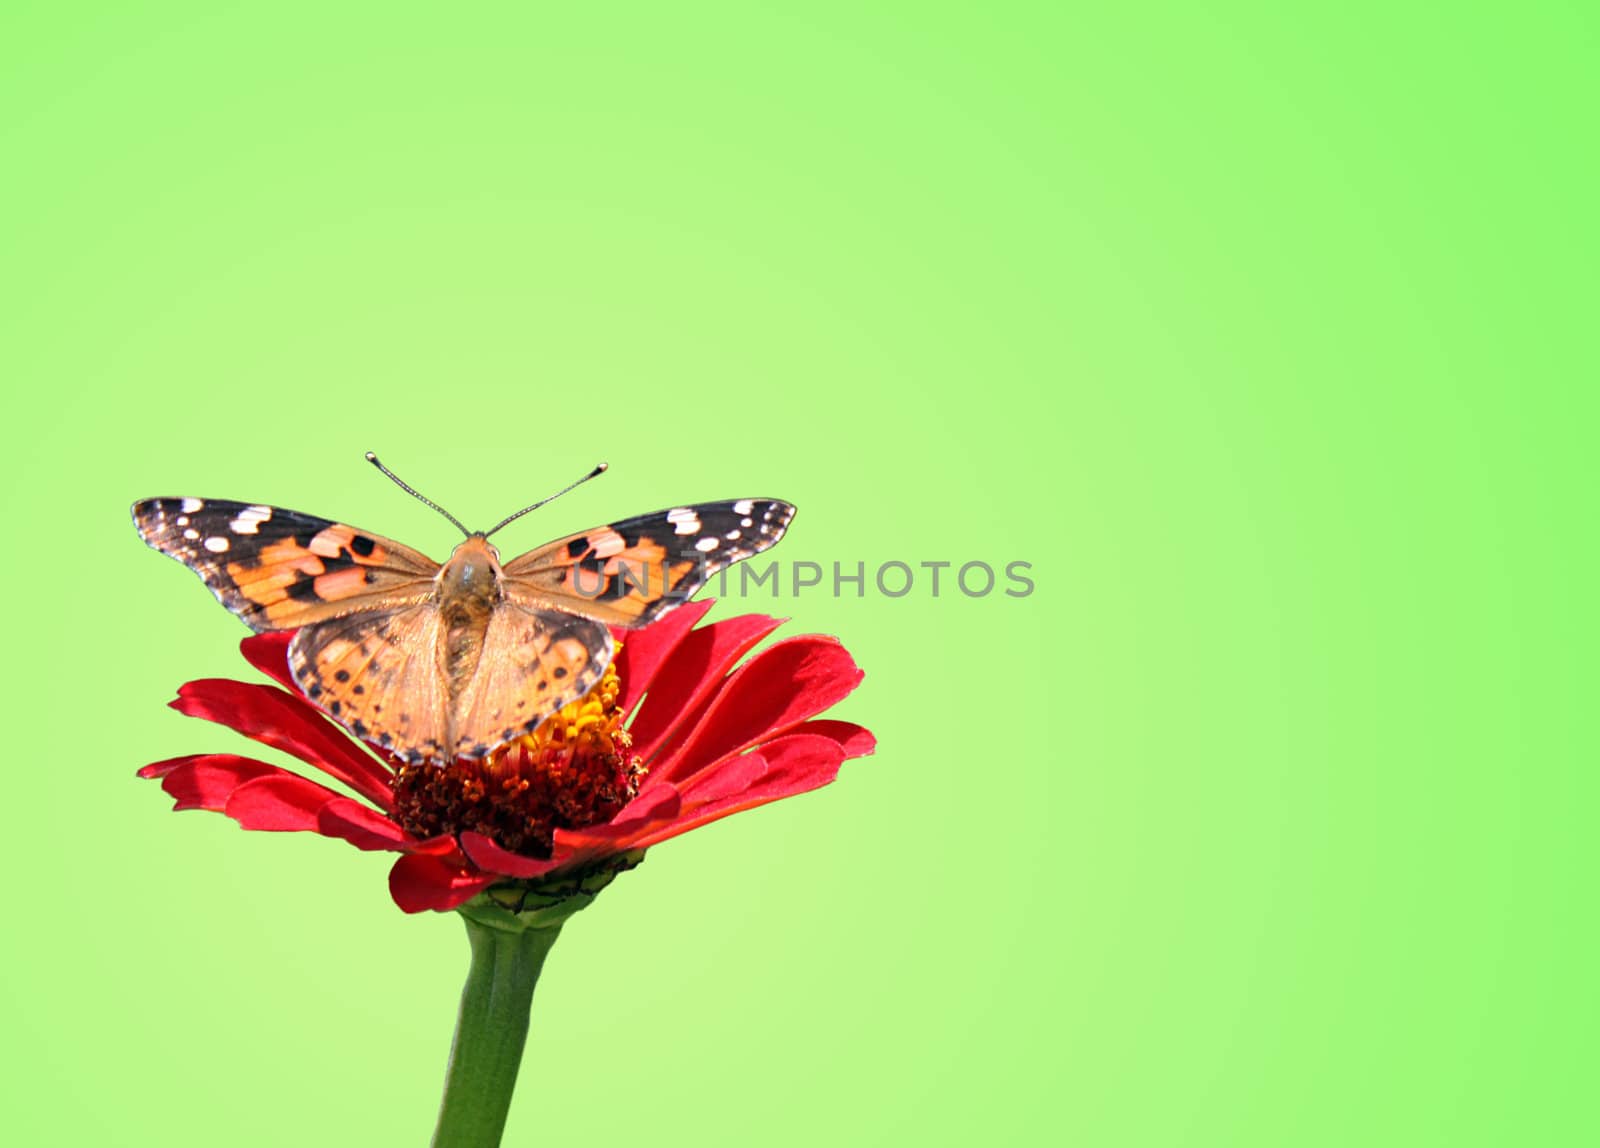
(585, 792)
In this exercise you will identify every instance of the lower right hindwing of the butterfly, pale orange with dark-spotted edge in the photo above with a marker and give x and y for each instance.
(532, 664)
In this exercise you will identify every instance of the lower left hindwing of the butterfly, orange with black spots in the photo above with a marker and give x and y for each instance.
(383, 676)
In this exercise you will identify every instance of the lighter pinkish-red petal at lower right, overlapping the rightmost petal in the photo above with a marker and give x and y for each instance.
(780, 770)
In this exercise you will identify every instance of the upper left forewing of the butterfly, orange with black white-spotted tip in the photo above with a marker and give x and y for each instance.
(279, 570)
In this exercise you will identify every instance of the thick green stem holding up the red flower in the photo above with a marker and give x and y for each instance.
(490, 1032)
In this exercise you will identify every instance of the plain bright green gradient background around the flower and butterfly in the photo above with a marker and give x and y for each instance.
(1263, 335)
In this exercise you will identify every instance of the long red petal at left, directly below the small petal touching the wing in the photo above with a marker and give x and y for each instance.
(284, 722)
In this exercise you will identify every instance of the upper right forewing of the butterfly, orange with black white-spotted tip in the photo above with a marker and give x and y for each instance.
(634, 572)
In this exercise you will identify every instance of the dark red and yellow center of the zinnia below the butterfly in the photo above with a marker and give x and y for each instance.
(577, 770)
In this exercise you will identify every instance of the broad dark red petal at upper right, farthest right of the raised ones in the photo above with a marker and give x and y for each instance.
(783, 685)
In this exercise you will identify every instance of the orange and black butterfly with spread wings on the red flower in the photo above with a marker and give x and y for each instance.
(449, 661)
